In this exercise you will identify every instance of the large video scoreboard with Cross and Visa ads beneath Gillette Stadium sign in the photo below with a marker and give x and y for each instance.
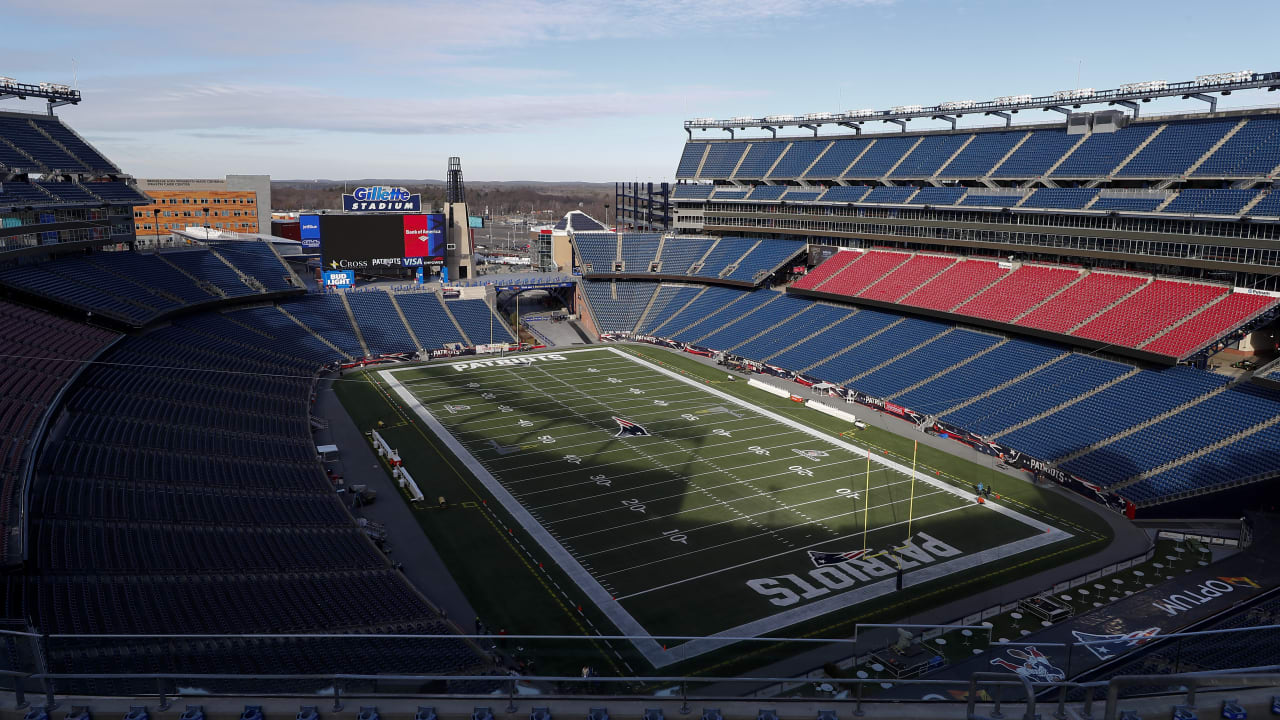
(376, 244)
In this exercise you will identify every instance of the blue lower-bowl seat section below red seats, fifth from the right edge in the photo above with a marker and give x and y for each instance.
(980, 376)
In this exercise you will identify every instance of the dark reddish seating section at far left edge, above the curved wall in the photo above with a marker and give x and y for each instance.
(44, 353)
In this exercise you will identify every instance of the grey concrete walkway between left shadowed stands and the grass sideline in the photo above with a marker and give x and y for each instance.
(409, 544)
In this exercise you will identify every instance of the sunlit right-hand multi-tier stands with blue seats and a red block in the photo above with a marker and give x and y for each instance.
(1048, 293)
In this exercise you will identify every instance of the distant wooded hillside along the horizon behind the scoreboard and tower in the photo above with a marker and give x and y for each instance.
(551, 200)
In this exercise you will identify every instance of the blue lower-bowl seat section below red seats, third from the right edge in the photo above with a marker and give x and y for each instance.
(1104, 414)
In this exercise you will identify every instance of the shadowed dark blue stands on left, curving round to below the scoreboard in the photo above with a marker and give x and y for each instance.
(159, 476)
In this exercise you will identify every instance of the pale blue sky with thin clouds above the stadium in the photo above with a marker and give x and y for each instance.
(579, 90)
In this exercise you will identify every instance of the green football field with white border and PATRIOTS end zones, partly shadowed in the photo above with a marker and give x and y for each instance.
(683, 511)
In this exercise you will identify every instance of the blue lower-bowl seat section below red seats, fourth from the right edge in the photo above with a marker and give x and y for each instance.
(1041, 391)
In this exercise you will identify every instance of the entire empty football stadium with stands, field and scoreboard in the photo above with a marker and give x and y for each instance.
(889, 423)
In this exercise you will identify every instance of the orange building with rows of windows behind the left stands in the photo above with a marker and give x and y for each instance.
(179, 209)
